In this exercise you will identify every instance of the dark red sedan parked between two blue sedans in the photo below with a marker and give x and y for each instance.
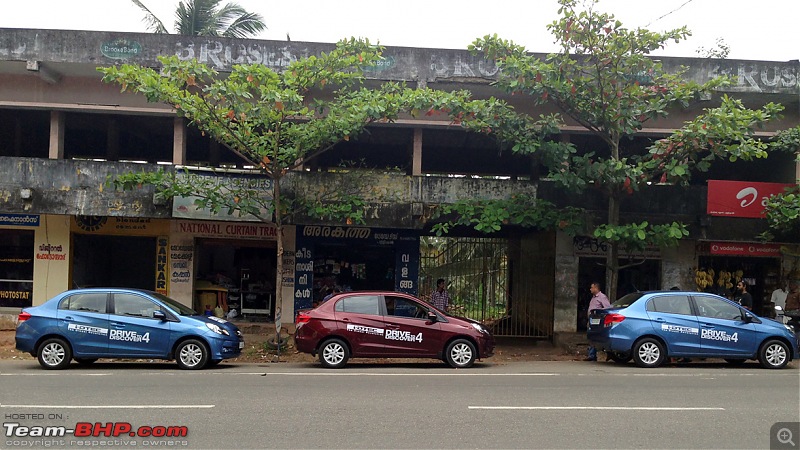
(389, 325)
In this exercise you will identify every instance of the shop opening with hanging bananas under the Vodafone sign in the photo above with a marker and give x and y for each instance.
(761, 274)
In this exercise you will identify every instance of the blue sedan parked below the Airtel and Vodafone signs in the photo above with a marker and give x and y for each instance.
(650, 327)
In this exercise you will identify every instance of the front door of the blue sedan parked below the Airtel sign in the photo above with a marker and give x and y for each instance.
(723, 332)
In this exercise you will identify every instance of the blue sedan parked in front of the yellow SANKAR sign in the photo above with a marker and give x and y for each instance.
(88, 324)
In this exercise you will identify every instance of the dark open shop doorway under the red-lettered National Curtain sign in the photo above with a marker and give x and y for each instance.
(236, 274)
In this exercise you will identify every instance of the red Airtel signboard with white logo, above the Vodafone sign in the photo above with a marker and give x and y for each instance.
(740, 198)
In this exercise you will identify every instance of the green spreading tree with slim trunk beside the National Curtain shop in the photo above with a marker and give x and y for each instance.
(270, 120)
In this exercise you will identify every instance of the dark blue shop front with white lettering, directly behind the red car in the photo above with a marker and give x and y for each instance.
(353, 259)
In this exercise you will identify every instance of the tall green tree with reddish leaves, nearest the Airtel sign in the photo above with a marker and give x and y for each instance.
(603, 79)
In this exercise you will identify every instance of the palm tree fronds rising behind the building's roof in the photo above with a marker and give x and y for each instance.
(207, 18)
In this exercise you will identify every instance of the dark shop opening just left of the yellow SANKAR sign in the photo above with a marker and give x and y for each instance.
(113, 261)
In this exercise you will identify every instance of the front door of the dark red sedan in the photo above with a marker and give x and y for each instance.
(409, 332)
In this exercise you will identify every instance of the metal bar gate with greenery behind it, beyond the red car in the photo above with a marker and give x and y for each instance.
(476, 274)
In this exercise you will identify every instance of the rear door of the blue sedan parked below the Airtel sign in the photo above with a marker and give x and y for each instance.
(674, 321)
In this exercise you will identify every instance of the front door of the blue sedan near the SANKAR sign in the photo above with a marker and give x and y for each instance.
(133, 331)
